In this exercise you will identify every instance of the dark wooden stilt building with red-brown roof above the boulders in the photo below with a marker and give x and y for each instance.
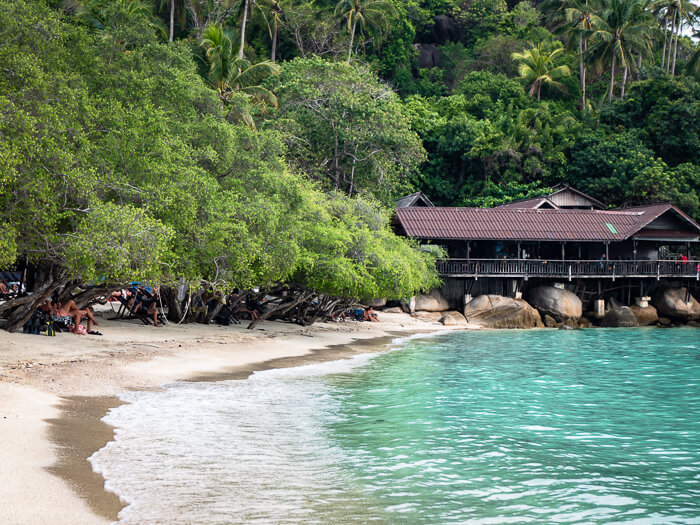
(566, 237)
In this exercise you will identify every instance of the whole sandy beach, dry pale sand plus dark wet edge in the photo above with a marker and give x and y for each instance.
(55, 390)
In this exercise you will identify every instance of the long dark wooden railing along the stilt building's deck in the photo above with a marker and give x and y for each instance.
(566, 269)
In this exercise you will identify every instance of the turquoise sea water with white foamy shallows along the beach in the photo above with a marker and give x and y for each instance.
(591, 426)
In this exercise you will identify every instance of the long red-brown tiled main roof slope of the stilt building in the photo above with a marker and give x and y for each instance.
(527, 224)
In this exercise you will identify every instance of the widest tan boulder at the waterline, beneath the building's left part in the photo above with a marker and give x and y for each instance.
(496, 311)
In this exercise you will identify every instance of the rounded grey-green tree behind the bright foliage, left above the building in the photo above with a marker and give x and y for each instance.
(344, 128)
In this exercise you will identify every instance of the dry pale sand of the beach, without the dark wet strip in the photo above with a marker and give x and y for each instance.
(36, 371)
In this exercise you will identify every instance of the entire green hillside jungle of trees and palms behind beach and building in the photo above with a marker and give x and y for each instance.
(261, 143)
